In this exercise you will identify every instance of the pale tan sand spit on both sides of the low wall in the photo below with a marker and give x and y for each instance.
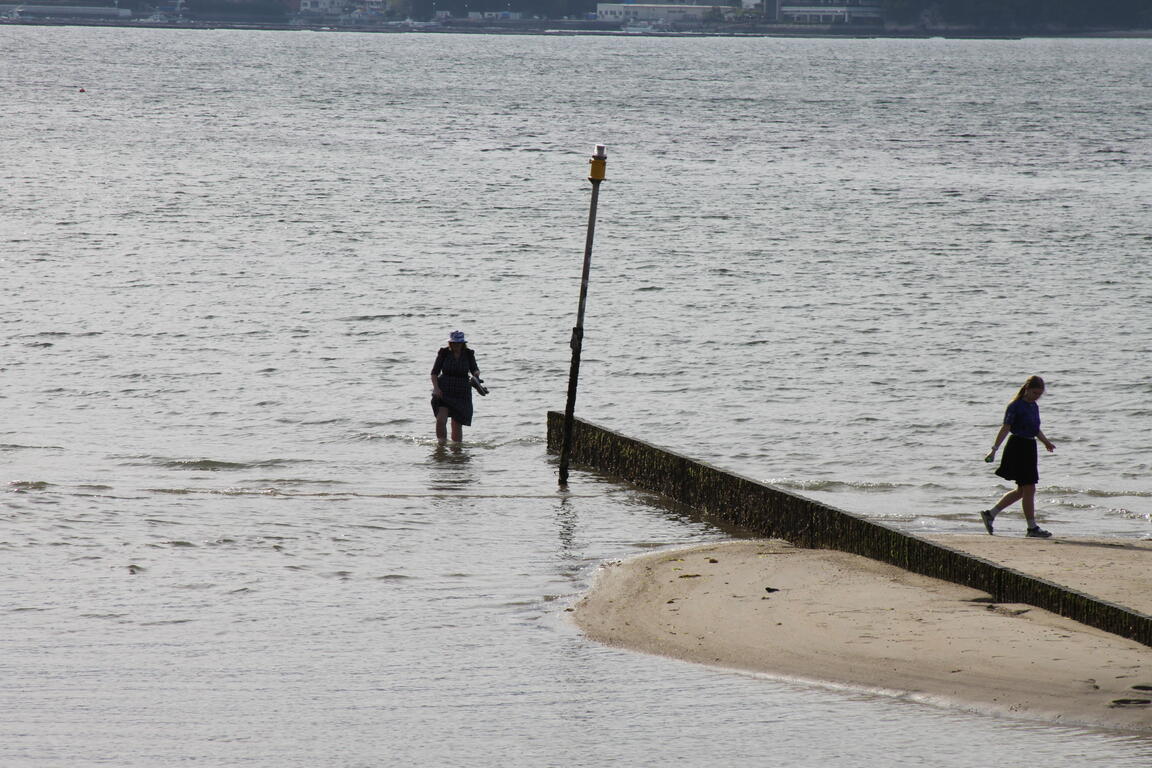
(827, 617)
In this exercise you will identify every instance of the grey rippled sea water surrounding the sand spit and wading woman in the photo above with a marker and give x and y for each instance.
(230, 258)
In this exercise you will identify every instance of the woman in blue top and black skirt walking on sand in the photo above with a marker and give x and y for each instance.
(1019, 462)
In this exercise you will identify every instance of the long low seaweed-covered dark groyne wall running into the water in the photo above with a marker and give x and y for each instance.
(775, 513)
